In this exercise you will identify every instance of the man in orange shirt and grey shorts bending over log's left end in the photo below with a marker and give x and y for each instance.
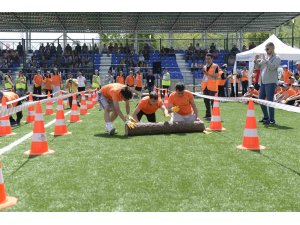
(109, 97)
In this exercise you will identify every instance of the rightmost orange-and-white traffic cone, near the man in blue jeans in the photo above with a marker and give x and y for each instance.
(250, 140)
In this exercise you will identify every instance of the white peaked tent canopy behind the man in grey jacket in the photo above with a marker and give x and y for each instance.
(285, 52)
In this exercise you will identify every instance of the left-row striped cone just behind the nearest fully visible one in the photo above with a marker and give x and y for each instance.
(60, 128)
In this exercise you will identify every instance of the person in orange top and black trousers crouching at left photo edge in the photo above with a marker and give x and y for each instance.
(10, 96)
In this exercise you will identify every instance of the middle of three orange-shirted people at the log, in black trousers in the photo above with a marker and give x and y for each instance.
(148, 106)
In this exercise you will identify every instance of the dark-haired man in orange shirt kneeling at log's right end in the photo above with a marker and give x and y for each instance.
(182, 104)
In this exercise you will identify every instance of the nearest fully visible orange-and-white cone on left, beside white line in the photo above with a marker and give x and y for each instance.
(39, 144)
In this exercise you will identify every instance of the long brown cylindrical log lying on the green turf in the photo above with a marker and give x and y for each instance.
(164, 128)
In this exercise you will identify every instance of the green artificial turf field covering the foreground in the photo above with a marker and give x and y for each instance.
(91, 171)
